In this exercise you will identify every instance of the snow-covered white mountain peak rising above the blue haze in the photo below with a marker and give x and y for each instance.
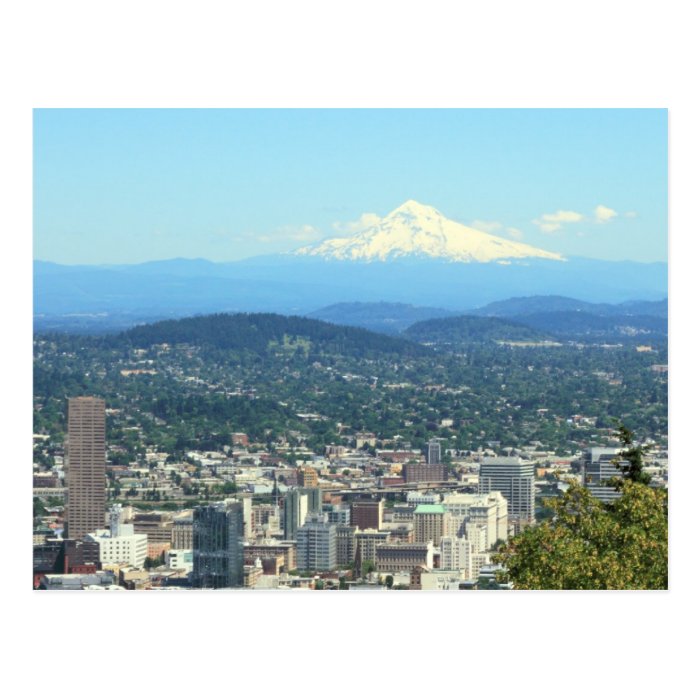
(417, 230)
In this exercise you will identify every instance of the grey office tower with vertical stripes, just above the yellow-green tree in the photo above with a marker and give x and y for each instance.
(515, 479)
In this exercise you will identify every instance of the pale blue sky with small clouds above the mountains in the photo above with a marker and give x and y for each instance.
(126, 185)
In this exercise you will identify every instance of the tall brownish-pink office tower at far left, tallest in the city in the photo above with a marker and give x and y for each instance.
(85, 473)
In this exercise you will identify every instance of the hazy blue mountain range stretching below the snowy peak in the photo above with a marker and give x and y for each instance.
(302, 285)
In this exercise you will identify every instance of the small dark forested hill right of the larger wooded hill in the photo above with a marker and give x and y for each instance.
(472, 329)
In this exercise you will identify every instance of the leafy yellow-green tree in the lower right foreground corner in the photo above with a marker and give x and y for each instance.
(592, 545)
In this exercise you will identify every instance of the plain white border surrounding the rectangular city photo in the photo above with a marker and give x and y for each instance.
(507, 54)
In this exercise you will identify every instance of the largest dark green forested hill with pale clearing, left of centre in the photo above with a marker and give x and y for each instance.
(260, 333)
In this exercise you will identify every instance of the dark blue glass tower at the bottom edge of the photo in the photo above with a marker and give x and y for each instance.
(218, 532)
